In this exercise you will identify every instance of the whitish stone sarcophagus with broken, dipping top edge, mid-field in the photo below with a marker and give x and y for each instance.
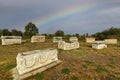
(68, 46)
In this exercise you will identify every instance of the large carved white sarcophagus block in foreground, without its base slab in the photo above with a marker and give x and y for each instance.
(29, 61)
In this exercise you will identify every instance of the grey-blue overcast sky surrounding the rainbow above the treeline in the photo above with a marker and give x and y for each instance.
(99, 15)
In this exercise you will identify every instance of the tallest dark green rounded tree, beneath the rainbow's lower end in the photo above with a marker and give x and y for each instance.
(30, 29)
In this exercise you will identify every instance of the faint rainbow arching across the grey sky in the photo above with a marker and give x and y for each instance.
(63, 13)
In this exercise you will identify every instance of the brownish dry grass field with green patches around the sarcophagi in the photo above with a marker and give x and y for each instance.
(84, 63)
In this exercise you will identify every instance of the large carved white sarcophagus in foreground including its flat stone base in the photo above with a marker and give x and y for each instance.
(32, 62)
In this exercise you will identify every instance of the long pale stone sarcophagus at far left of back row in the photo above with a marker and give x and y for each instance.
(8, 40)
